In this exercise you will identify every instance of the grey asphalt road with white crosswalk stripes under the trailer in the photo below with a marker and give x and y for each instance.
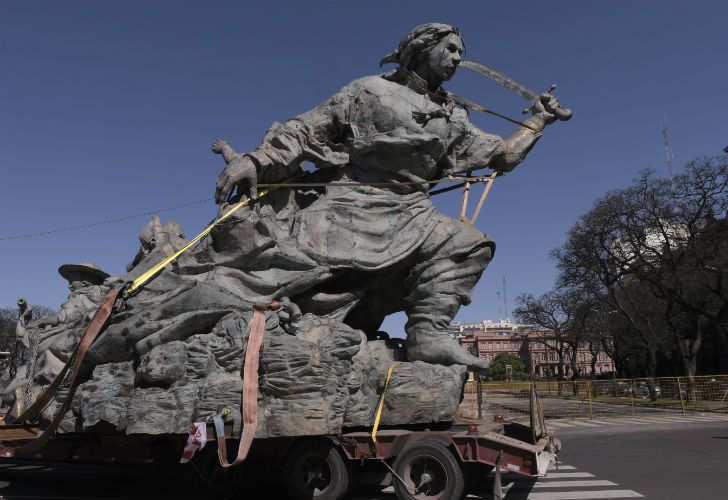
(665, 460)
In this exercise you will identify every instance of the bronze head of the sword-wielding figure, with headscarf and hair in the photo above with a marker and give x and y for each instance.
(432, 48)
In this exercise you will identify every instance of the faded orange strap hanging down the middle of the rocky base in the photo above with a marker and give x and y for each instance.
(249, 403)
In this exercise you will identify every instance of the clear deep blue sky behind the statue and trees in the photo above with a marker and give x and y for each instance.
(109, 108)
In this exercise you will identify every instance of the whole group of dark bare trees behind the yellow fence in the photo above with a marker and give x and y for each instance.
(643, 276)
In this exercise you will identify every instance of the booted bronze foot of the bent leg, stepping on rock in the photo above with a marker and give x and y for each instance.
(441, 349)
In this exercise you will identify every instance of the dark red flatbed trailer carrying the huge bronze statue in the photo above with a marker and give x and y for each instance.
(439, 461)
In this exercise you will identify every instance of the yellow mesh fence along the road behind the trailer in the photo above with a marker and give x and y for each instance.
(591, 399)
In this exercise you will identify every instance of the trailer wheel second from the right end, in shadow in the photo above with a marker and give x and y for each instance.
(315, 469)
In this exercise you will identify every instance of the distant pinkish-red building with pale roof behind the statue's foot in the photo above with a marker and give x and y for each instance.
(489, 339)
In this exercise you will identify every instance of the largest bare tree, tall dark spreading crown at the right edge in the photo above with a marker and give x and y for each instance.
(649, 253)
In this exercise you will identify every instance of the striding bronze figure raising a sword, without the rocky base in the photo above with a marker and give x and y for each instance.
(360, 253)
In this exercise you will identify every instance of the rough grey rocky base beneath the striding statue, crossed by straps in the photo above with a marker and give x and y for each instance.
(175, 354)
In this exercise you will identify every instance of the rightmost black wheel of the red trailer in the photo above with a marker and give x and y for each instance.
(430, 471)
